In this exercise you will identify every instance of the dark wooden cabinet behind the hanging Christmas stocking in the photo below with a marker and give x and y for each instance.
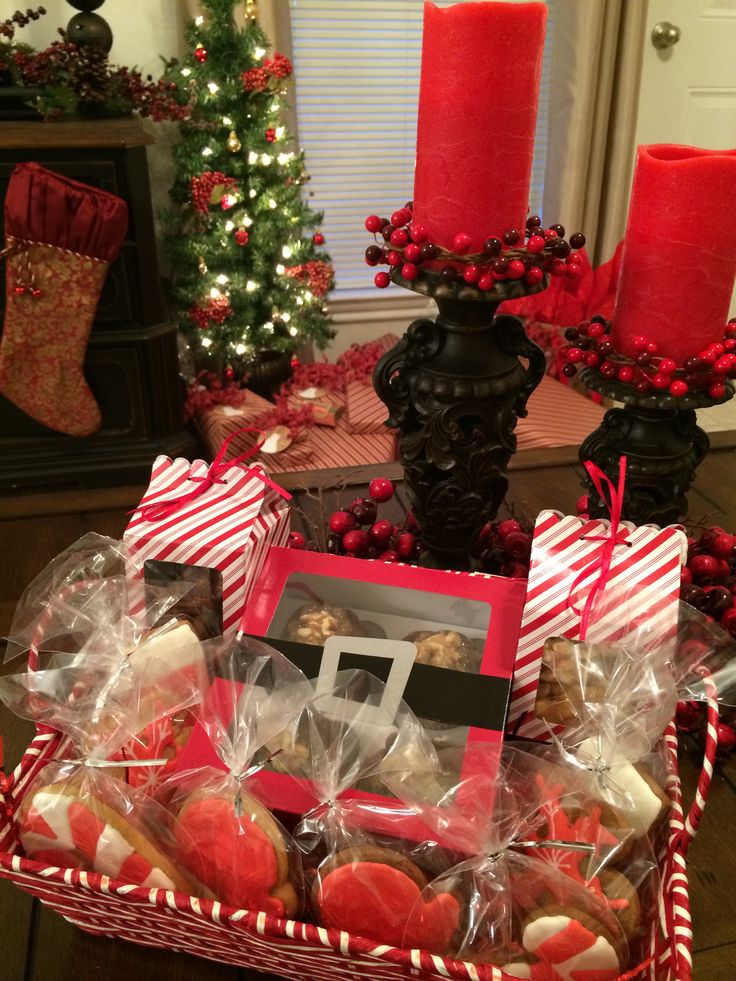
(131, 364)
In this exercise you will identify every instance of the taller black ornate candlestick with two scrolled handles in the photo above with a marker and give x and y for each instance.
(454, 388)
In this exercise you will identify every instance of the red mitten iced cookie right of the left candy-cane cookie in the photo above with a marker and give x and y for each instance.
(244, 860)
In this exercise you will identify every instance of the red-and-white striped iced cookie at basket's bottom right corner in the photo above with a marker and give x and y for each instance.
(569, 944)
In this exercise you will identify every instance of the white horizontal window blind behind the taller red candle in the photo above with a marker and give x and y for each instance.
(357, 65)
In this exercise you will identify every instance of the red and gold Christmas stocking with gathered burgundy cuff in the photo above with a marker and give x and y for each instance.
(60, 238)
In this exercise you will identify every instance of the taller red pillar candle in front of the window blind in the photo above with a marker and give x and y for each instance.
(481, 67)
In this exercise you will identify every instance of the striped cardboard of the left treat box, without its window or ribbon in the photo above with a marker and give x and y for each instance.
(229, 527)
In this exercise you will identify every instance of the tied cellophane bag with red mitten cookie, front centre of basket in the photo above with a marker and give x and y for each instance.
(367, 858)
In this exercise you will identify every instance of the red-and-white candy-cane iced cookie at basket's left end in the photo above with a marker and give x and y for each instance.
(58, 826)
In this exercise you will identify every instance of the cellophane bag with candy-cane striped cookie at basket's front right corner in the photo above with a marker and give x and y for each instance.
(509, 907)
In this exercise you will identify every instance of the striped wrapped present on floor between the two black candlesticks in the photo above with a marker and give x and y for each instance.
(558, 416)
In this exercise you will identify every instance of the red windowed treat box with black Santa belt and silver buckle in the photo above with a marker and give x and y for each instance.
(443, 641)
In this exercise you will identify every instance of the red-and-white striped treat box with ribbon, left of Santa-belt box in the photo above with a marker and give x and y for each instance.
(210, 526)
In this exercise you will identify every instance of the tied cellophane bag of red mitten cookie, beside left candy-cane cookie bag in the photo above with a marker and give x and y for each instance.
(226, 837)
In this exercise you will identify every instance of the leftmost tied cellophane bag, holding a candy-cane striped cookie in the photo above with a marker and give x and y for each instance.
(79, 812)
